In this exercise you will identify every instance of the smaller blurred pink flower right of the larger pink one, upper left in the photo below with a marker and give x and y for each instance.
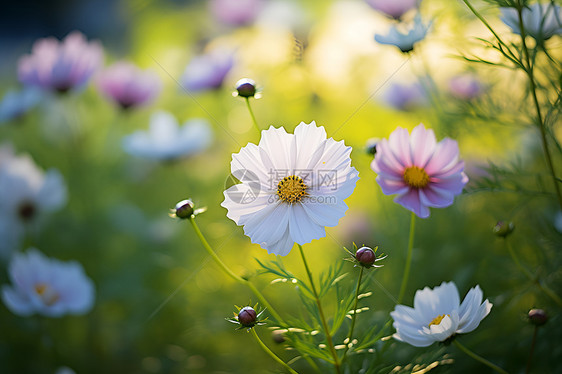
(129, 86)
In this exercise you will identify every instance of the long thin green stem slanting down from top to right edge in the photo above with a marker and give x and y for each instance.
(533, 88)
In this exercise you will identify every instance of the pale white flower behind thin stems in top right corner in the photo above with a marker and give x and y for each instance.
(541, 21)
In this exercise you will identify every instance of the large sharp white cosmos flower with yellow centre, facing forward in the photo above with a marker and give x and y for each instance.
(293, 186)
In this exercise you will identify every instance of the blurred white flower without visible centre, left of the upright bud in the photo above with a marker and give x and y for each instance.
(166, 140)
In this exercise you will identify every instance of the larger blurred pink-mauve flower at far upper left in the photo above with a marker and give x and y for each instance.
(60, 66)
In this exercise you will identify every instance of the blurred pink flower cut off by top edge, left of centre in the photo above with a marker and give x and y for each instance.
(235, 12)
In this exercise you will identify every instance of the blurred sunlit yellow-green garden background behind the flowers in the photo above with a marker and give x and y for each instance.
(161, 302)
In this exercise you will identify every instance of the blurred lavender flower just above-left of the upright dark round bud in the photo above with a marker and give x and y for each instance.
(207, 71)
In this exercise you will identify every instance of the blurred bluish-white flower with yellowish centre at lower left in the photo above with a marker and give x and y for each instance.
(47, 286)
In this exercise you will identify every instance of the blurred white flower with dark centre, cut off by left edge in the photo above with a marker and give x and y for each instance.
(27, 194)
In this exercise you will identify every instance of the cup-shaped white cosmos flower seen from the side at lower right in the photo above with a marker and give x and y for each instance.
(438, 315)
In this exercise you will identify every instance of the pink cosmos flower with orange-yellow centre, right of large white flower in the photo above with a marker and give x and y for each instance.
(422, 172)
